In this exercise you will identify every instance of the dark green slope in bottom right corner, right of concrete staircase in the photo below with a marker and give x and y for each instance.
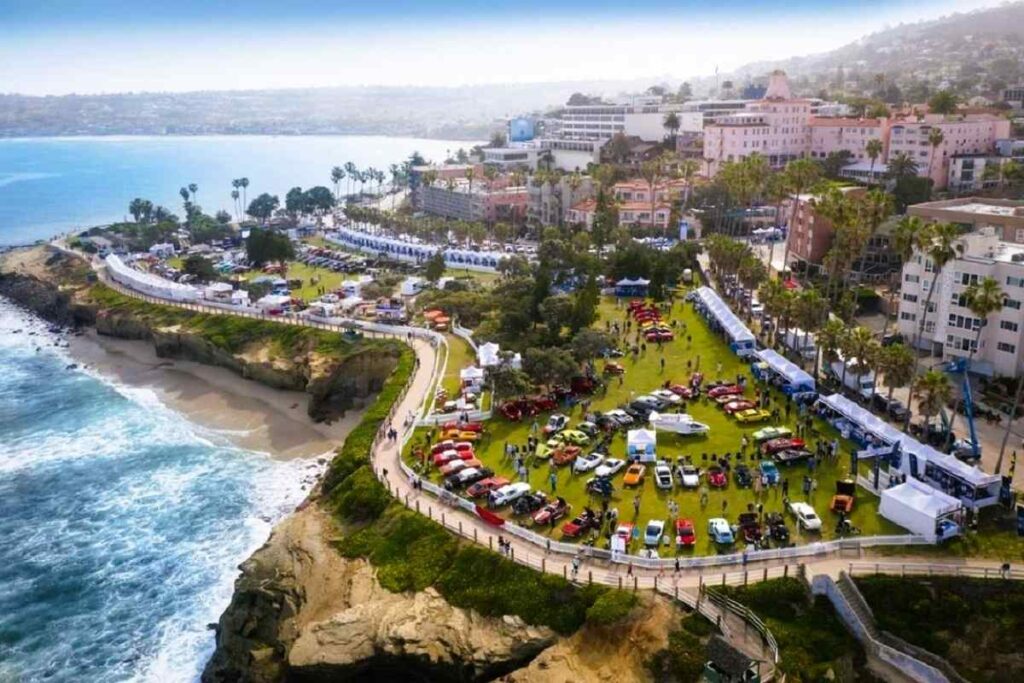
(973, 623)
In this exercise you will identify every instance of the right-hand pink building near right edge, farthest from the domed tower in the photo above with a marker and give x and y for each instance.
(972, 134)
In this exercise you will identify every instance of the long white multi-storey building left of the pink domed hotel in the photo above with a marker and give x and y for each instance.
(643, 116)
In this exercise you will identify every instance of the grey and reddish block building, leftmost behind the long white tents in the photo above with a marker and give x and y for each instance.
(480, 201)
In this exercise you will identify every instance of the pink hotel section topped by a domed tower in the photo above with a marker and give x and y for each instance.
(777, 127)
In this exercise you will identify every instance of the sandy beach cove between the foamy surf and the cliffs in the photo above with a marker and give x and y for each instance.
(250, 415)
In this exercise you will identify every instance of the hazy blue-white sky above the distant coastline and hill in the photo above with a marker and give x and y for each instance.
(87, 47)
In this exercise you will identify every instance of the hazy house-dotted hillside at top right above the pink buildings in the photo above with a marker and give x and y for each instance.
(975, 54)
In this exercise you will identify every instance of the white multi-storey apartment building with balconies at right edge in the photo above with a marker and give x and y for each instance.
(951, 328)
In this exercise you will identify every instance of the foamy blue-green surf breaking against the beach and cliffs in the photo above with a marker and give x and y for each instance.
(122, 525)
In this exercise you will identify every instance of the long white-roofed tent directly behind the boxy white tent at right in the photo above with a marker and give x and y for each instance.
(972, 486)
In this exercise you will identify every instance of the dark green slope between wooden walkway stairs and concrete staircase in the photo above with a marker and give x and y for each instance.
(812, 639)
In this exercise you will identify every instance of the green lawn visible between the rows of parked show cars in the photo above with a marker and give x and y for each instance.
(645, 375)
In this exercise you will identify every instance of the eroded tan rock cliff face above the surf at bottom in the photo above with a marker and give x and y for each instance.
(303, 613)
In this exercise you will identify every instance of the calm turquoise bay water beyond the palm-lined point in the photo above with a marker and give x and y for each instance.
(51, 186)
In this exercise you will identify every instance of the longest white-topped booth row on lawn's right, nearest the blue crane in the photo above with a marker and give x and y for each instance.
(906, 456)
